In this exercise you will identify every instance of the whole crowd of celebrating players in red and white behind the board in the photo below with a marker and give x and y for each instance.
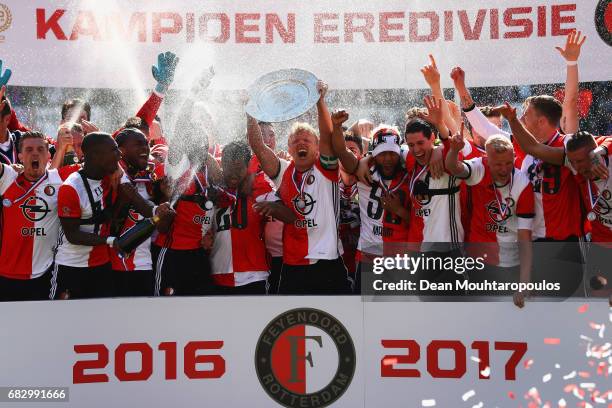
(248, 219)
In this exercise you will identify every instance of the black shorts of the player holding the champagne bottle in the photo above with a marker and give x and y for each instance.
(70, 282)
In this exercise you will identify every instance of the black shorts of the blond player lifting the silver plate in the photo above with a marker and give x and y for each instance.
(326, 277)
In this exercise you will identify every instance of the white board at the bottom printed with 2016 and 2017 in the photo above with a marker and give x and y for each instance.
(306, 352)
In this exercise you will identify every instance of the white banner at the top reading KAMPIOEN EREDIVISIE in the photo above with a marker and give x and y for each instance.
(352, 45)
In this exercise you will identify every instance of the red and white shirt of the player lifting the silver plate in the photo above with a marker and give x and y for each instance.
(314, 197)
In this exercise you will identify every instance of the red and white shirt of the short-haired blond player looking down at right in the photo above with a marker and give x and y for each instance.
(498, 214)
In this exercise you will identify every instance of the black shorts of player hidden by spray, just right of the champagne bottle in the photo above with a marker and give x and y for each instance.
(181, 272)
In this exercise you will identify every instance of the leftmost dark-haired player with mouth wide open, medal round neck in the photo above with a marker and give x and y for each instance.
(29, 221)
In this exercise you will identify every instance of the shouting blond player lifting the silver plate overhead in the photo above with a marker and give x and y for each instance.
(309, 186)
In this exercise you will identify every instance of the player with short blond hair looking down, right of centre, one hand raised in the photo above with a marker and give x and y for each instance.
(503, 205)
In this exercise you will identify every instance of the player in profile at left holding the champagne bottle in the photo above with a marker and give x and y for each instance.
(85, 205)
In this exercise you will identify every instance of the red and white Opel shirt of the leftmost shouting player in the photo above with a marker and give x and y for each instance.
(29, 222)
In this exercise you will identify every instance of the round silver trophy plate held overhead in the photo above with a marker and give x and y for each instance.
(282, 95)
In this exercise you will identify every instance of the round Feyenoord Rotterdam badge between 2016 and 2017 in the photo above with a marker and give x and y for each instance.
(305, 358)
